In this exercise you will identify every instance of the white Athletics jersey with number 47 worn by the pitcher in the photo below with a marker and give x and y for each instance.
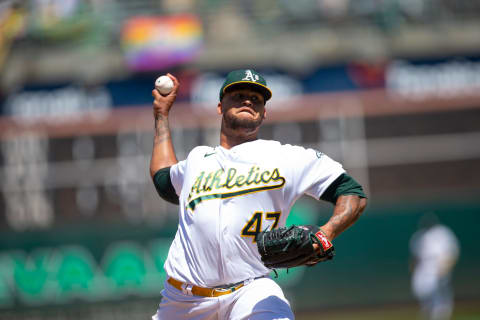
(227, 196)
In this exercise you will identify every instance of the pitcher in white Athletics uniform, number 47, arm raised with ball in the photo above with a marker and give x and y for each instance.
(234, 200)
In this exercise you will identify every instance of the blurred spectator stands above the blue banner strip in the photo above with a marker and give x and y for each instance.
(52, 40)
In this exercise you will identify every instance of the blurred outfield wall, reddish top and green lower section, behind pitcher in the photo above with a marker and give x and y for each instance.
(82, 225)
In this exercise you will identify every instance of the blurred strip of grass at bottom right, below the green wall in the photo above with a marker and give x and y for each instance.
(463, 311)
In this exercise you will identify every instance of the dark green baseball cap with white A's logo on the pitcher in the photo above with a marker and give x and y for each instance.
(247, 77)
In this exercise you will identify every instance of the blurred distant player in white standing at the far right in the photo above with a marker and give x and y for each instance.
(435, 250)
